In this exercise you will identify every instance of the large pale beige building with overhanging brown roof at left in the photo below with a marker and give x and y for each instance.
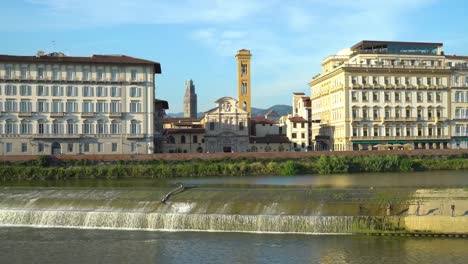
(57, 104)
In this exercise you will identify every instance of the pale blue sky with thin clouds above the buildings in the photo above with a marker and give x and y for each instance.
(198, 39)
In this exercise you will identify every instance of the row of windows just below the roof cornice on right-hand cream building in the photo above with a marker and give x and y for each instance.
(394, 80)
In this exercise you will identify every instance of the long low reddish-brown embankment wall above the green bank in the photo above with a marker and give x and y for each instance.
(252, 155)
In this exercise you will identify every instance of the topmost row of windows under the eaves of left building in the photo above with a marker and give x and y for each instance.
(69, 74)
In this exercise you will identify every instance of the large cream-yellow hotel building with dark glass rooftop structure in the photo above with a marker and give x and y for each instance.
(383, 95)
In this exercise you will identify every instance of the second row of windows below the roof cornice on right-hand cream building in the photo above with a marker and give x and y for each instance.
(365, 96)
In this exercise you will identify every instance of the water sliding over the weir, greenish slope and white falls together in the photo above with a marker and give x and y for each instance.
(141, 209)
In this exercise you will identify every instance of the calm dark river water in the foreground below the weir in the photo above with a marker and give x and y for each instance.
(37, 245)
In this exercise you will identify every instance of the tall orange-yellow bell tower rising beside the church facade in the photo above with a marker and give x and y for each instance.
(243, 79)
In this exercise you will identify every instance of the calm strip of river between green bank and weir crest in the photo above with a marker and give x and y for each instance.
(427, 179)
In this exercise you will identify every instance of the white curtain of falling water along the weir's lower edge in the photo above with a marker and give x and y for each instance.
(191, 222)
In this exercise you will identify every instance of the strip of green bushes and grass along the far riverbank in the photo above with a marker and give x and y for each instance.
(51, 168)
